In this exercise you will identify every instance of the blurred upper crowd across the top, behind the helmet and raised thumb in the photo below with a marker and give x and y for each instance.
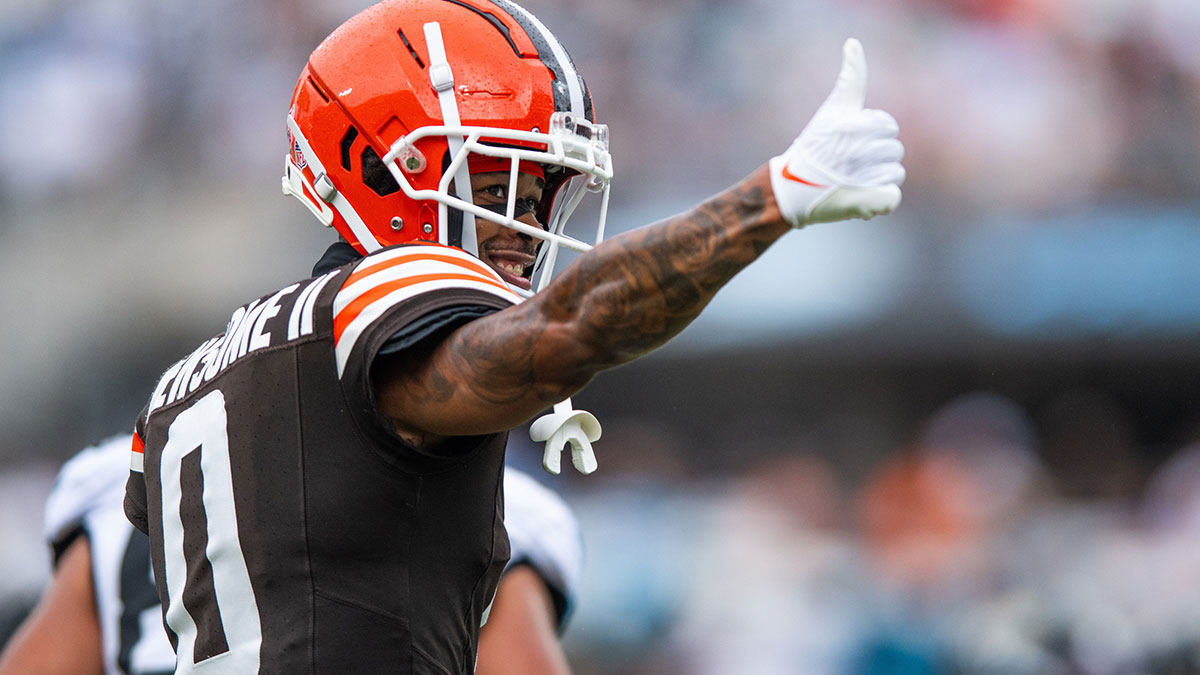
(1004, 104)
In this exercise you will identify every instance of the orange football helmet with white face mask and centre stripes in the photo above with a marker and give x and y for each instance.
(393, 104)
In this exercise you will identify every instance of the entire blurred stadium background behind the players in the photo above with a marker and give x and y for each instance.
(961, 439)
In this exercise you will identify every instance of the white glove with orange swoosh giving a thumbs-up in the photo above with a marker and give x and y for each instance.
(847, 163)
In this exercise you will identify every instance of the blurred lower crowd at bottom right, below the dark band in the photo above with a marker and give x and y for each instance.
(964, 552)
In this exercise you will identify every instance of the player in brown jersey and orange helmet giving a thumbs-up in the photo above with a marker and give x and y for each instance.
(321, 483)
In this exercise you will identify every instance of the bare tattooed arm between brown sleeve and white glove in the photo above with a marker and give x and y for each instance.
(614, 304)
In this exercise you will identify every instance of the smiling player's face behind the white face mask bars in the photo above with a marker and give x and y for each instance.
(508, 252)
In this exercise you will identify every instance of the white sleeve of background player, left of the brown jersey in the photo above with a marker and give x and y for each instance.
(93, 479)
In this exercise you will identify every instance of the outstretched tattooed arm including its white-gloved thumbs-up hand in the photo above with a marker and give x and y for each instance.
(637, 291)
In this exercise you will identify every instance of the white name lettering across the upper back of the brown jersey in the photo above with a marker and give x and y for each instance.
(253, 327)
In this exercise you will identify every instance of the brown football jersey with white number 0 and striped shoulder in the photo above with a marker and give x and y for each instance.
(291, 530)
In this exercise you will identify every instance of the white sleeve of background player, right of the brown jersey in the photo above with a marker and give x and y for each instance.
(544, 535)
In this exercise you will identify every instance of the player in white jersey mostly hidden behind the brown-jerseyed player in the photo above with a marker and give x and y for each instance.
(101, 616)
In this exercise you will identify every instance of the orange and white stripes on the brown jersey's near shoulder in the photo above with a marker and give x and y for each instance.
(388, 279)
